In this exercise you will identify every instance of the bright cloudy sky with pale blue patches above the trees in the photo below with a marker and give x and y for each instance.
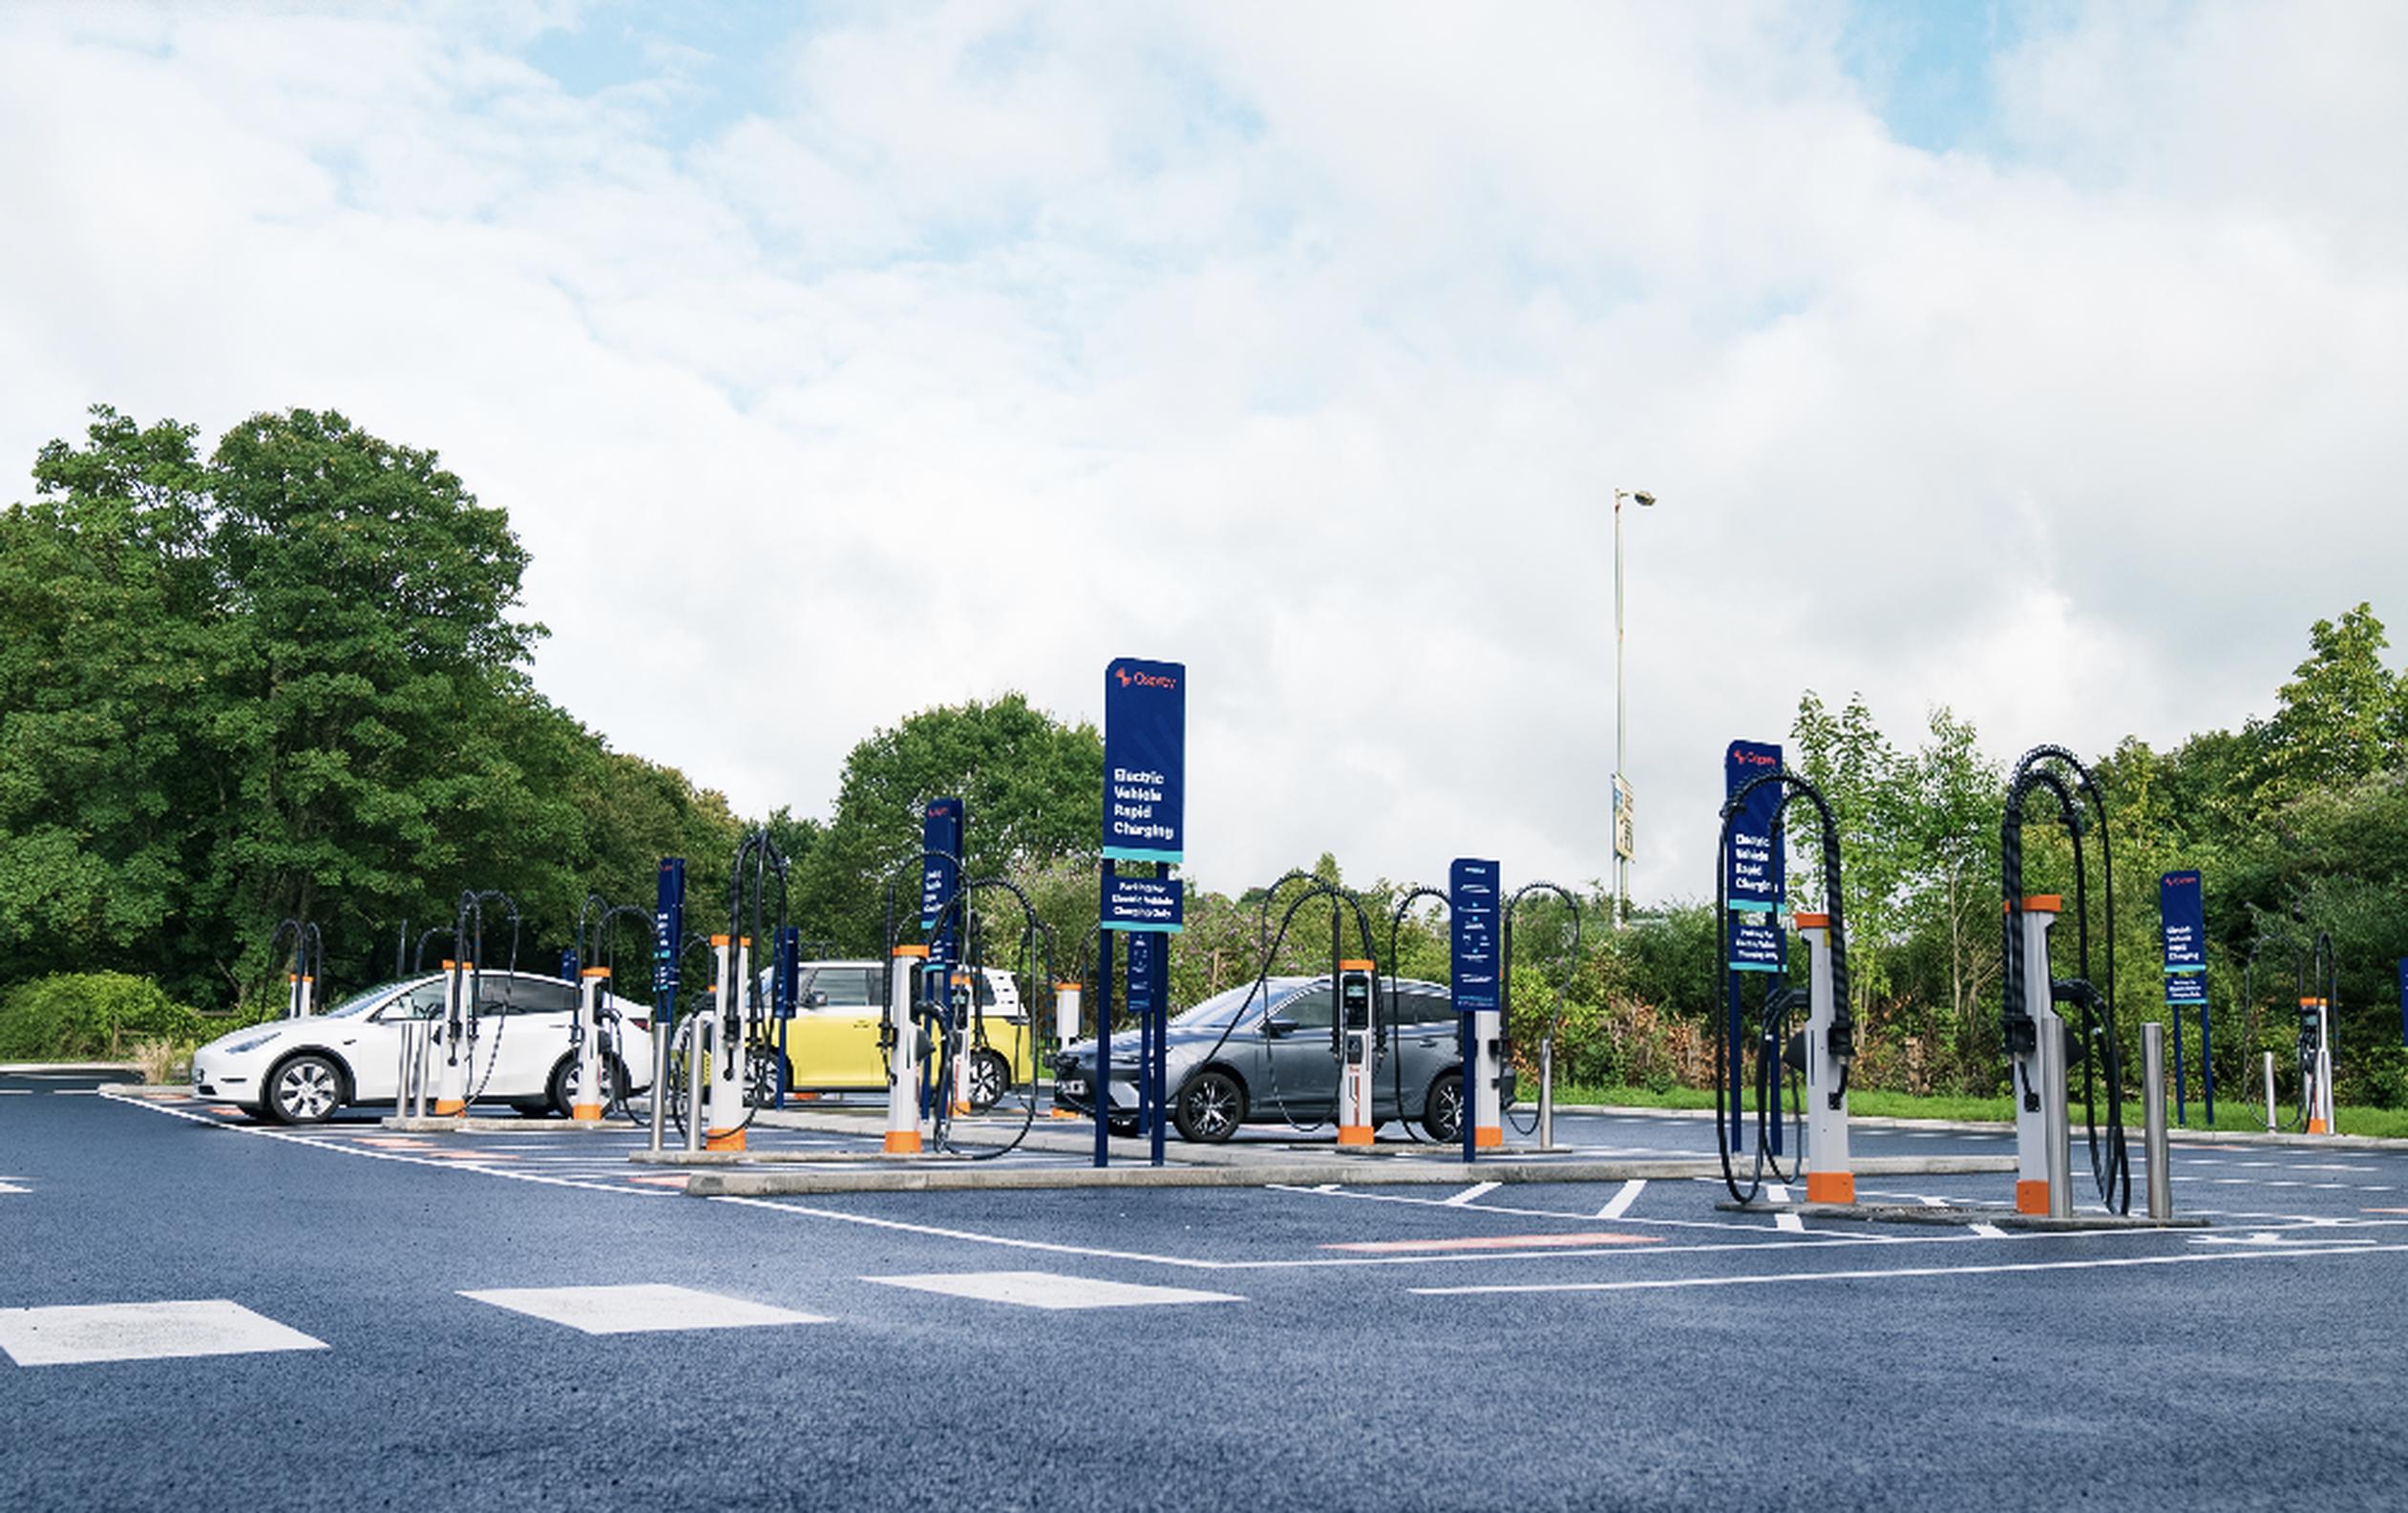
(2048, 363)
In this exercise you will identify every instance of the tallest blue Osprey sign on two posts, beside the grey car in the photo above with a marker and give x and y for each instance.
(1145, 830)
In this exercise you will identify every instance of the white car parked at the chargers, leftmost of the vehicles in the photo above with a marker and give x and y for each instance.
(302, 1071)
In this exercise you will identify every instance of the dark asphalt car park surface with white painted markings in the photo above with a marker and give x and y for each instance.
(208, 1314)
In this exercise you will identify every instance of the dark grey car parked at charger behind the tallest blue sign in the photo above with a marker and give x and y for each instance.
(1234, 1064)
